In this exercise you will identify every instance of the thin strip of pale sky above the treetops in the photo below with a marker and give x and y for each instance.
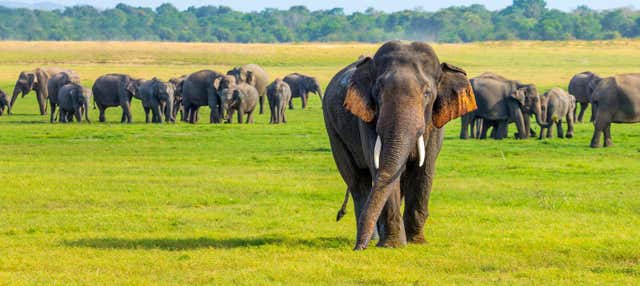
(349, 6)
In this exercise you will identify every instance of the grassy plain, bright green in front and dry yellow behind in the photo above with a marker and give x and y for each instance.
(229, 204)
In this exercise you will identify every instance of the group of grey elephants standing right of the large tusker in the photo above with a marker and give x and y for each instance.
(503, 101)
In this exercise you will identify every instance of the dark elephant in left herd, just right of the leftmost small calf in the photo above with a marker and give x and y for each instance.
(112, 90)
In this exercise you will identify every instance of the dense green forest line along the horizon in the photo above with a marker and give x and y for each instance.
(524, 20)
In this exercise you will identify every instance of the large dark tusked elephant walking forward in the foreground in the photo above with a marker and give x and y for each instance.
(384, 117)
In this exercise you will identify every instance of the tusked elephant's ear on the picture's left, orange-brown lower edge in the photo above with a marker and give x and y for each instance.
(359, 93)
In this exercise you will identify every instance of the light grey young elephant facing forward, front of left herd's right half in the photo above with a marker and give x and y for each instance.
(240, 97)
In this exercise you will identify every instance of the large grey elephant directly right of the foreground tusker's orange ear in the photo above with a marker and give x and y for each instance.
(502, 101)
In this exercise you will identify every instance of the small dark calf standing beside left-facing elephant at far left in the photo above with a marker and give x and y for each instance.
(73, 100)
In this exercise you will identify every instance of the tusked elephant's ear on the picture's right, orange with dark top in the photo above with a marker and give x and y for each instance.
(455, 96)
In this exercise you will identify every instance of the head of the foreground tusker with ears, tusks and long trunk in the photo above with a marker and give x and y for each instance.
(404, 93)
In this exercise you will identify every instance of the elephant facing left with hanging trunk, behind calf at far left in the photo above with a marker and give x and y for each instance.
(36, 80)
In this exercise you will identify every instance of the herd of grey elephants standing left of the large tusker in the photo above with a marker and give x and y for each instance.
(242, 90)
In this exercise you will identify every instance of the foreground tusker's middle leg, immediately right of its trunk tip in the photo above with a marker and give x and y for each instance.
(391, 226)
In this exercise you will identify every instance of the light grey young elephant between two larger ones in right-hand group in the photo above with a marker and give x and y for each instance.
(557, 104)
